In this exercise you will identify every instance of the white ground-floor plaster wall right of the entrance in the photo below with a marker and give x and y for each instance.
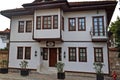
(84, 66)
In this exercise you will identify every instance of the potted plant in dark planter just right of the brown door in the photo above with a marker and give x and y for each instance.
(61, 73)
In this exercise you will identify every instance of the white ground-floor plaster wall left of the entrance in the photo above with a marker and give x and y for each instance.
(34, 62)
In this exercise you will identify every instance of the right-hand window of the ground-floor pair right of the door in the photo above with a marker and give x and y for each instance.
(82, 55)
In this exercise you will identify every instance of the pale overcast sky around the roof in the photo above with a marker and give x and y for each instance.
(12, 4)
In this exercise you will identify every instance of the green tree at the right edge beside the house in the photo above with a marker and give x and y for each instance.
(115, 29)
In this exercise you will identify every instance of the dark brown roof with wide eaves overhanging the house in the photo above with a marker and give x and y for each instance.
(28, 9)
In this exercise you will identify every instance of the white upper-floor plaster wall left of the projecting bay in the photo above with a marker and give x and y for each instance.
(15, 36)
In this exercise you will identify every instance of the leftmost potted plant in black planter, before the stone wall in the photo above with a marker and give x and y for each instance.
(4, 66)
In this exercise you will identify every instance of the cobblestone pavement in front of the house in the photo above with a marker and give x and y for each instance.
(38, 76)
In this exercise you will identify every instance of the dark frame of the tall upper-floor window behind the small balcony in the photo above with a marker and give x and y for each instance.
(98, 26)
